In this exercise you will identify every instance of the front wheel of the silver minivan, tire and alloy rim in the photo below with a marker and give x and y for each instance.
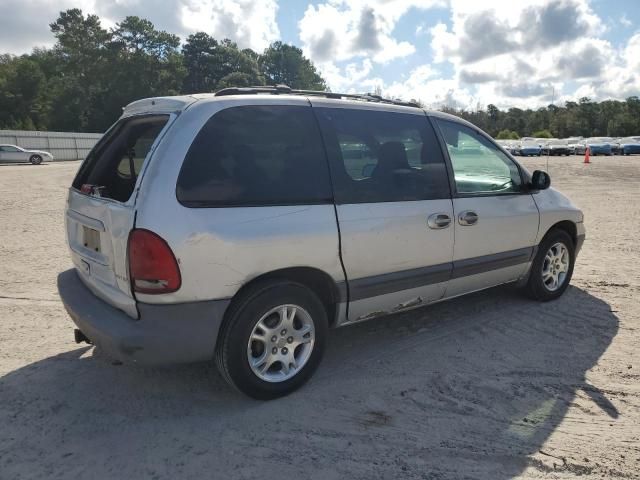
(552, 268)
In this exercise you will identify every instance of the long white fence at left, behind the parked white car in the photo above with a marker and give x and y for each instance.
(62, 145)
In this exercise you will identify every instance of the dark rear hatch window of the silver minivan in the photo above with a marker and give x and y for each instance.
(112, 167)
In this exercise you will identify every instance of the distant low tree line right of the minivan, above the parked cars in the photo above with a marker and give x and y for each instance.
(585, 118)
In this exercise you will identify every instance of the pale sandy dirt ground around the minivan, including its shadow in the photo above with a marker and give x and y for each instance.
(488, 386)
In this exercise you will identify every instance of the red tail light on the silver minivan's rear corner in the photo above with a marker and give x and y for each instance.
(152, 266)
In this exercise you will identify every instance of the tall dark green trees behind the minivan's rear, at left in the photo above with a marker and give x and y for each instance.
(82, 83)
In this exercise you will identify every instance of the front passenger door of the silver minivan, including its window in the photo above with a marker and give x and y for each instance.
(496, 220)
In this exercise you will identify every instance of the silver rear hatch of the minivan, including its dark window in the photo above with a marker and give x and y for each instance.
(101, 204)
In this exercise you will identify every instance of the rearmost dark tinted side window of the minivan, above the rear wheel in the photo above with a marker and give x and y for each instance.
(255, 156)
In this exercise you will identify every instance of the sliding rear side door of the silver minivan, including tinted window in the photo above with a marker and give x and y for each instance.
(393, 205)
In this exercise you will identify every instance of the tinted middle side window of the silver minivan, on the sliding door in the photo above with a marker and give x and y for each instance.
(379, 156)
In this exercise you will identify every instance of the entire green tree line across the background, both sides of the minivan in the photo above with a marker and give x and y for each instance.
(82, 83)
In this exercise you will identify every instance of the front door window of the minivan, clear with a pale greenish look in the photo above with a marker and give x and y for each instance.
(478, 165)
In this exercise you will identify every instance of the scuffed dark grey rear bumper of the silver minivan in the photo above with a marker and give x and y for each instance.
(164, 334)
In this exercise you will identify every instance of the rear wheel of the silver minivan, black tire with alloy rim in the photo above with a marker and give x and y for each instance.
(272, 340)
